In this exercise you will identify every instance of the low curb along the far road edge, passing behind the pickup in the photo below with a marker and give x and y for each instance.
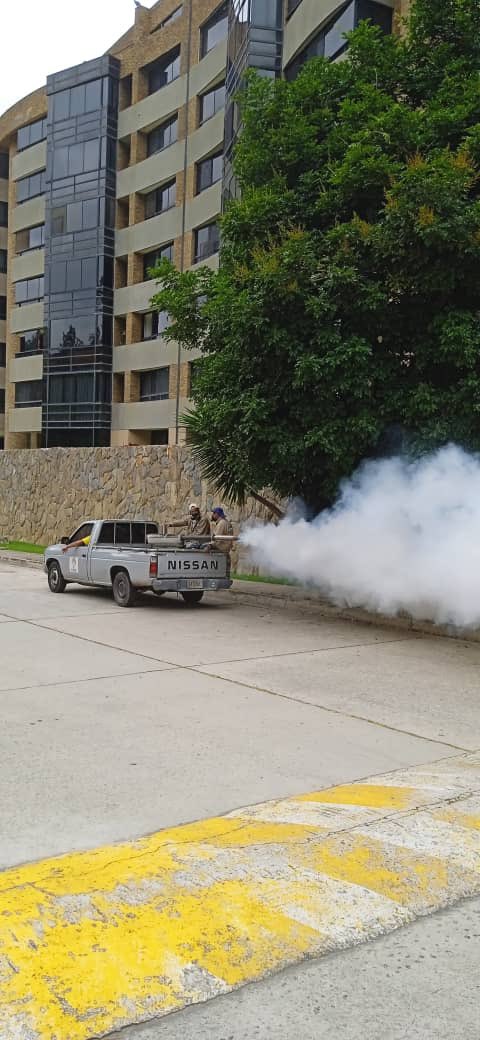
(282, 597)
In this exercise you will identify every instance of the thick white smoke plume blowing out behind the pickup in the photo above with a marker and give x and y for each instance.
(403, 536)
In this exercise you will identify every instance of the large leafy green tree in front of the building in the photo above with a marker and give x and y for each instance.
(348, 300)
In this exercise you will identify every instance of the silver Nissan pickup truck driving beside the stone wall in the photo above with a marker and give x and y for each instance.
(134, 557)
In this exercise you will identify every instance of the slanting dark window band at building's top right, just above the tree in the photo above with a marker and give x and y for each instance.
(331, 42)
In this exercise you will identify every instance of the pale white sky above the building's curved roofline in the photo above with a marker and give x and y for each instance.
(42, 37)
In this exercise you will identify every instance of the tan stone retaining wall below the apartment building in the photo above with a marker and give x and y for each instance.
(46, 493)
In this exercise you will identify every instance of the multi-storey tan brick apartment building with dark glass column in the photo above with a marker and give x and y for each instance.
(112, 165)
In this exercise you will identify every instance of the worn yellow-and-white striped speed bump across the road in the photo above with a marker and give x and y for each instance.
(91, 943)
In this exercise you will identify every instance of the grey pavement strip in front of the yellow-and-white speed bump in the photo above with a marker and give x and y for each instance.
(420, 983)
